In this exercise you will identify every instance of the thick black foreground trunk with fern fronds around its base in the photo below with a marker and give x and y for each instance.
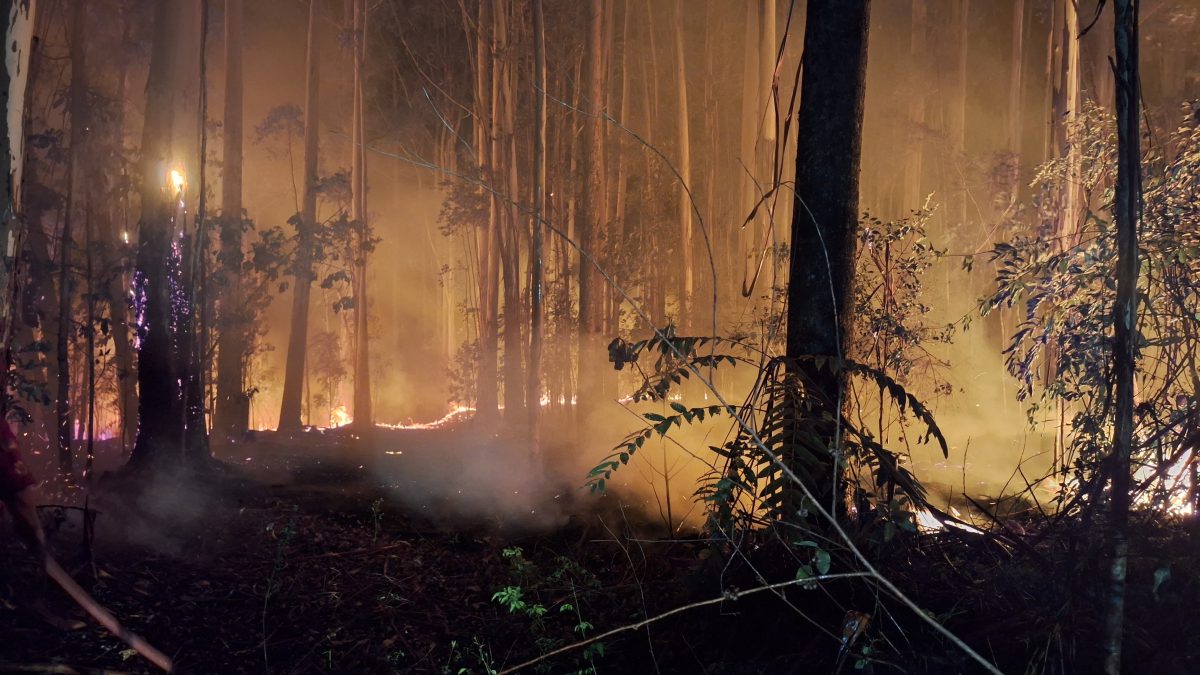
(825, 218)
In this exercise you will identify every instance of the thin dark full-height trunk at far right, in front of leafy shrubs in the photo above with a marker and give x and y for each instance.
(1127, 216)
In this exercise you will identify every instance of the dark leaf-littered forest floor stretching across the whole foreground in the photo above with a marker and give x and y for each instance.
(299, 563)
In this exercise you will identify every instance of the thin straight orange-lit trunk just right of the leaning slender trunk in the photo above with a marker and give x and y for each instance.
(363, 411)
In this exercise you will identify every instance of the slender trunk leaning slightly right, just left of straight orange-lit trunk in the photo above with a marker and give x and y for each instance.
(307, 229)
